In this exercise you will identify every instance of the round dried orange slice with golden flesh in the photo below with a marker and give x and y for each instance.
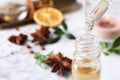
(48, 16)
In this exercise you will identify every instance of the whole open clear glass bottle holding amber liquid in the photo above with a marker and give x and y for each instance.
(86, 64)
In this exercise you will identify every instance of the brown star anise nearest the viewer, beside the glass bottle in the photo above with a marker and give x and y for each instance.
(59, 63)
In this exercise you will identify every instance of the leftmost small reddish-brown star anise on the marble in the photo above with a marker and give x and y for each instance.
(20, 39)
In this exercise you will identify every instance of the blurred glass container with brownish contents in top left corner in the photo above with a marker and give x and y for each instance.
(13, 10)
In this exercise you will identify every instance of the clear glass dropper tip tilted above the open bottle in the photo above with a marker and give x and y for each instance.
(98, 12)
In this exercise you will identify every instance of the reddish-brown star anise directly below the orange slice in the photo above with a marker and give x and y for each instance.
(41, 35)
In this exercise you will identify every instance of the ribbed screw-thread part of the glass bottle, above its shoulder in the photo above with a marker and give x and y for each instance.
(87, 45)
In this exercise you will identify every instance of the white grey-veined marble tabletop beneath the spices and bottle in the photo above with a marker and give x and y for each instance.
(22, 66)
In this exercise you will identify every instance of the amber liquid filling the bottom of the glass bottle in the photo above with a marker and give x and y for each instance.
(85, 73)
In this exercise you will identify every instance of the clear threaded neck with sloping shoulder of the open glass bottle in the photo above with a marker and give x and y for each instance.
(87, 49)
